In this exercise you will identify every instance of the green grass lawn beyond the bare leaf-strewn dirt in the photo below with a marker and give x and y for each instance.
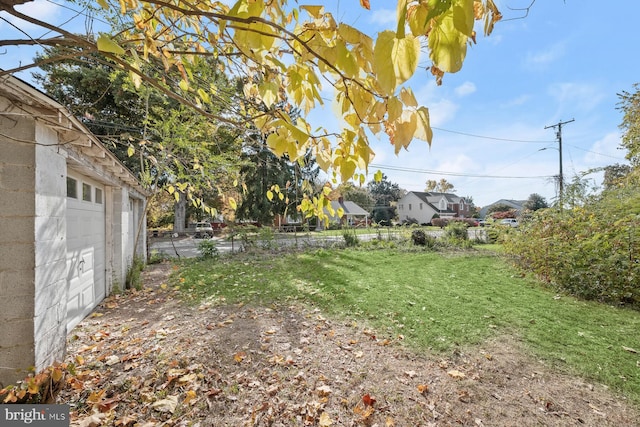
(438, 302)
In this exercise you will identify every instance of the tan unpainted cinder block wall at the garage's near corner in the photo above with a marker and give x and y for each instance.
(17, 244)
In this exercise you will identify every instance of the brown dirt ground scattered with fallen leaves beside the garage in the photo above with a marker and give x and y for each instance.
(147, 359)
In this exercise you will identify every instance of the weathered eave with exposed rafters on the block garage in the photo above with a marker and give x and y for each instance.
(29, 101)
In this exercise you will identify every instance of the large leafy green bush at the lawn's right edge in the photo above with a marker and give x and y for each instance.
(592, 252)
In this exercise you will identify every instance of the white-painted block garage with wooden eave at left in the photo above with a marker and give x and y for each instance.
(70, 217)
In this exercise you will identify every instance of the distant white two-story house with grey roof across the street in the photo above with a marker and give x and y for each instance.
(423, 206)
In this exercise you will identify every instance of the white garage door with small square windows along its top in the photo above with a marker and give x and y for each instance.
(85, 247)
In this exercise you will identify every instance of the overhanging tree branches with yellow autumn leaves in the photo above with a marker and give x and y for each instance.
(286, 51)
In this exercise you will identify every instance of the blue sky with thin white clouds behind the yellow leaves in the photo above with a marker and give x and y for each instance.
(565, 60)
